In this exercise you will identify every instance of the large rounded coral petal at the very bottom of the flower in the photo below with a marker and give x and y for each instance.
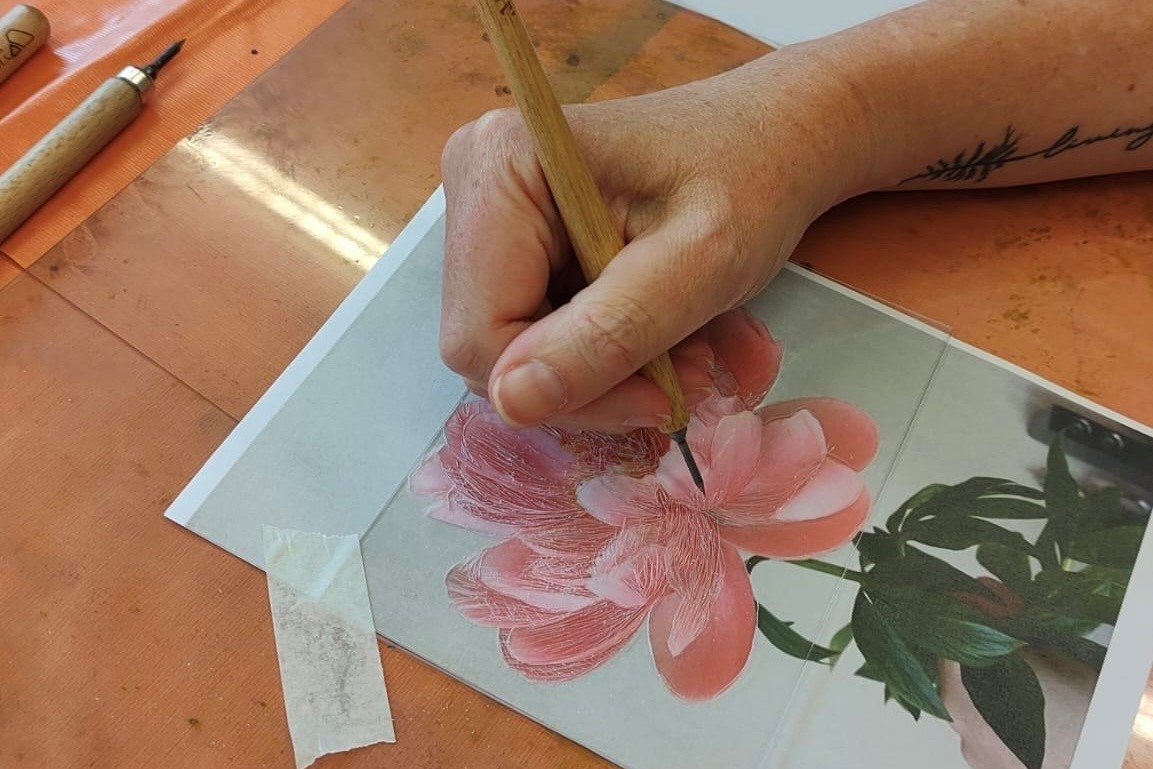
(717, 658)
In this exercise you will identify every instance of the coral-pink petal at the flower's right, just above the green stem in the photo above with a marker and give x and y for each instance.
(802, 539)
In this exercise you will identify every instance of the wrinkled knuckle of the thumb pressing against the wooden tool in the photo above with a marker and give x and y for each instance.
(613, 335)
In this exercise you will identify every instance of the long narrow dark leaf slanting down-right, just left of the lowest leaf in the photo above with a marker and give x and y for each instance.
(892, 660)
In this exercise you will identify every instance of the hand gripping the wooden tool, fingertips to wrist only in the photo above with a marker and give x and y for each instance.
(713, 185)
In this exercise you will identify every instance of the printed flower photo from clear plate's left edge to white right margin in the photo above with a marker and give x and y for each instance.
(878, 547)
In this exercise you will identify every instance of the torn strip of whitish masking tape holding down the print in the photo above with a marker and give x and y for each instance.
(330, 665)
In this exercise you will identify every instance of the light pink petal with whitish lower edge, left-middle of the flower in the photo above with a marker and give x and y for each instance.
(551, 583)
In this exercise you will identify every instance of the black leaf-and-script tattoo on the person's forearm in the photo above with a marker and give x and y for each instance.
(977, 165)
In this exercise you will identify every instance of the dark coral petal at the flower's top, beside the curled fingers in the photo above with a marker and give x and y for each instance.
(748, 357)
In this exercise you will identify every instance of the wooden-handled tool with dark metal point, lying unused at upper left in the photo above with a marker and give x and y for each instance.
(74, 142)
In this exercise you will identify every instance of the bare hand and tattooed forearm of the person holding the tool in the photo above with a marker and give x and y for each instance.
(714, 183)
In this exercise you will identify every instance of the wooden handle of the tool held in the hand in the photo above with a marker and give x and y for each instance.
(594, 235)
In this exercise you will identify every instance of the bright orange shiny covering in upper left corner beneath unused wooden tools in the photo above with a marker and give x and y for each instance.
(230, 43)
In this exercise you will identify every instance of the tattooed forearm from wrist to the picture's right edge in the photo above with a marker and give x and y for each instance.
(994, 93)
